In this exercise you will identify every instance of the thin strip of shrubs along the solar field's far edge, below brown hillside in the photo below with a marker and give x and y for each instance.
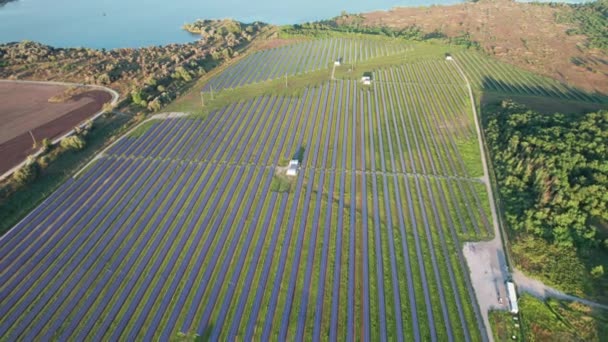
(349, 23)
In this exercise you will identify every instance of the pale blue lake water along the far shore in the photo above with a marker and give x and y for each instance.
(135, 23)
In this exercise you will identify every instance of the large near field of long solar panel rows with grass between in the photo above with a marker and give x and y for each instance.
(186, 226)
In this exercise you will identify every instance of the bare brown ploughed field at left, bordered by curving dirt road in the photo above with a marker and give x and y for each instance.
(25, 108)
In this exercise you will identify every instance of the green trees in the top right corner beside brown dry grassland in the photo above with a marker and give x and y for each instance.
(591, 19)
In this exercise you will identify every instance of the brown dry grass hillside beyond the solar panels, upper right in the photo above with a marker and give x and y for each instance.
(521, 34)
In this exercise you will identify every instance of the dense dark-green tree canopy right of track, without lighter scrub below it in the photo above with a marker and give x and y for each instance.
(552, 172)
